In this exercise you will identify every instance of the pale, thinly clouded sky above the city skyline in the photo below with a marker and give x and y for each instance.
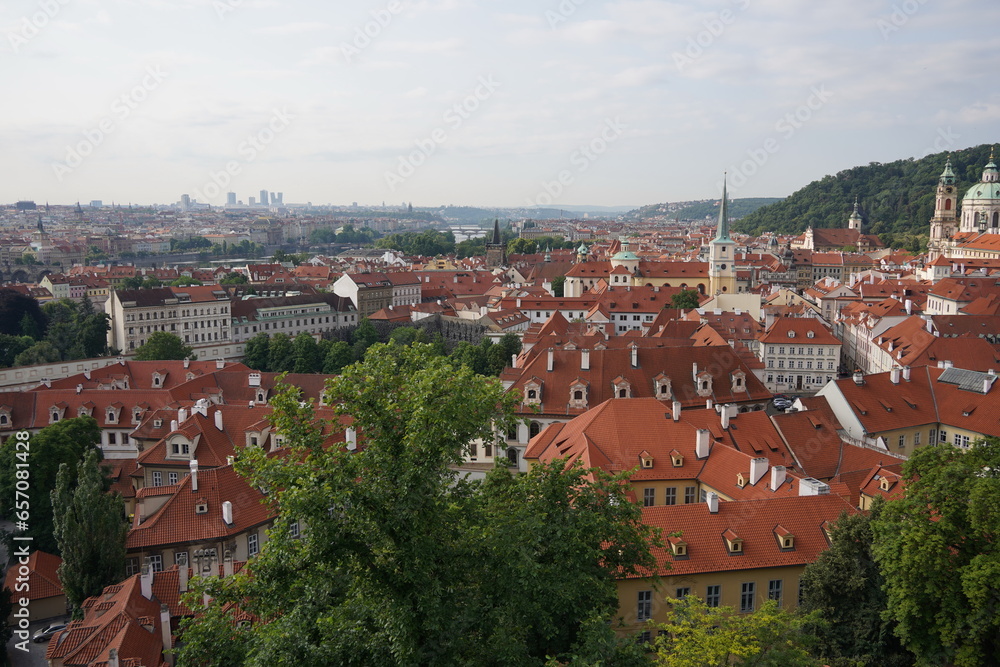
(481, 102)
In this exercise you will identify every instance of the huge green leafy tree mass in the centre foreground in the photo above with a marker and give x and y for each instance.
(400, 560)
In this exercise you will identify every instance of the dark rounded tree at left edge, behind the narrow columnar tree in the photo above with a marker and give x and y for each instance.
(65, 441)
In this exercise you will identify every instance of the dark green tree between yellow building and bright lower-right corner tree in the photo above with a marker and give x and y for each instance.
(845, 588)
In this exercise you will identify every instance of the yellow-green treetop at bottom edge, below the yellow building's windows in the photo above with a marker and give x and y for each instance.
(696, 635)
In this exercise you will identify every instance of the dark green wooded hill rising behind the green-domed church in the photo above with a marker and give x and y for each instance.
(896, 198)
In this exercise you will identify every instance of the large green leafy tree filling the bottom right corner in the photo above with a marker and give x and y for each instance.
(938, 551)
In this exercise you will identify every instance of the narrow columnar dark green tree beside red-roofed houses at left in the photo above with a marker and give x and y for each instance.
(90, 529)
